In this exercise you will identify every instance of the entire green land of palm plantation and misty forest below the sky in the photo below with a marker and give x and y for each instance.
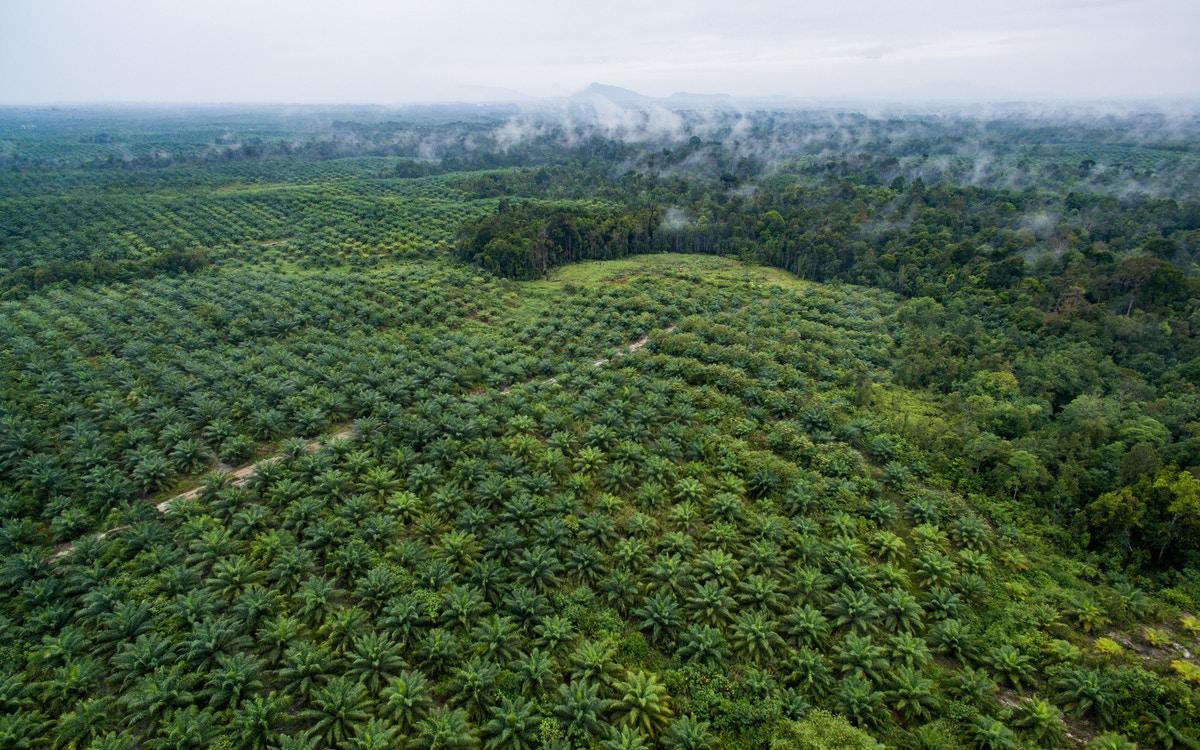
(455, 428)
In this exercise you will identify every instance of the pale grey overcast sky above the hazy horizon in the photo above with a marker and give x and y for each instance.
(403, 51)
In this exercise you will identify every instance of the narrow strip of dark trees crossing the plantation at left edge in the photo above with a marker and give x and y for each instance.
(27, 280)
